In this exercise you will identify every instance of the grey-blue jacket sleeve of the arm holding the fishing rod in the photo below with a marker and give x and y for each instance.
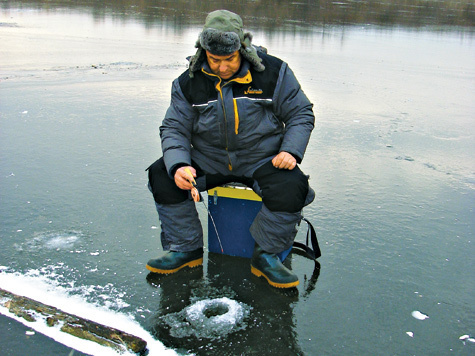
(175, 131)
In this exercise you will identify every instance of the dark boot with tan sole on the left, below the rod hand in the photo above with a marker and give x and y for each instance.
(173, 261)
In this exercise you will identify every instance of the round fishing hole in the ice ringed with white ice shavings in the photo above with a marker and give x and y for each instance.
(209, 318)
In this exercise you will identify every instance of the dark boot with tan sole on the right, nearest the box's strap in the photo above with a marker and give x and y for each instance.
(271, 268)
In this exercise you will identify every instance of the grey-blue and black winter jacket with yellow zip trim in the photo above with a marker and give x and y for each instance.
(233, 127)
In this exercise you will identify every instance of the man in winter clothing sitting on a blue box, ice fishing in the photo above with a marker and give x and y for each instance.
(236, 115)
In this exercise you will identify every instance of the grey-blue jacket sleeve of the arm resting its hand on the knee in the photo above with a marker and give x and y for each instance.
(293, 108)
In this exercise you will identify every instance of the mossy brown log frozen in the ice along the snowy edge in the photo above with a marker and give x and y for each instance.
(31, 310)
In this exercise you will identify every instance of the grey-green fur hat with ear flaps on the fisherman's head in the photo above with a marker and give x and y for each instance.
(222, 35)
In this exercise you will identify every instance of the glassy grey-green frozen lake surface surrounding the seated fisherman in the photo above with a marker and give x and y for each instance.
(83, 89)
